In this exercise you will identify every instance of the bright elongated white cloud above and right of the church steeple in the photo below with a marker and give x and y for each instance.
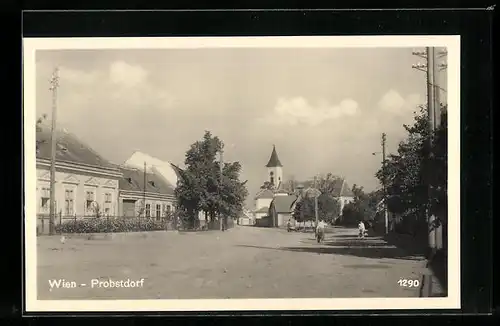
(298, 110)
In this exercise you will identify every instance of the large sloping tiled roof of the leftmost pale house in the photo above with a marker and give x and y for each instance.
(69, 148)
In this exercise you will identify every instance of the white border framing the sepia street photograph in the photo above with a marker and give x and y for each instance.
(452, 43)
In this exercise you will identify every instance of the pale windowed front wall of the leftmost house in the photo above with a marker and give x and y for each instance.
(78, 183)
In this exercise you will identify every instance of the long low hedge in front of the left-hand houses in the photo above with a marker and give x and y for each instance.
(115, 225)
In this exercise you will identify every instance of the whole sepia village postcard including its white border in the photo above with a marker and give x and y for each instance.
(283, 173)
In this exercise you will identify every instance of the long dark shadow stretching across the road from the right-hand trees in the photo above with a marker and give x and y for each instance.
(353, 250)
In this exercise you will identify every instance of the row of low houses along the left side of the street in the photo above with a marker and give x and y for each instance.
(87, 184)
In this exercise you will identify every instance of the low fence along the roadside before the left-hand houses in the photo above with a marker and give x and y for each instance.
(43, 222)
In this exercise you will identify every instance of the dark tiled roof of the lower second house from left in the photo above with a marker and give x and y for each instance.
(133, 180)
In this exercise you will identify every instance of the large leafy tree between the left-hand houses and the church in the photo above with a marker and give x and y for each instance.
(203, 188)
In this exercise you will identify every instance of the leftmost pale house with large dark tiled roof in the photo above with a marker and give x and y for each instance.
(85, 182)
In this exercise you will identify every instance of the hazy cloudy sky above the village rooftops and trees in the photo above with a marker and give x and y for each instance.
(324, 109)
